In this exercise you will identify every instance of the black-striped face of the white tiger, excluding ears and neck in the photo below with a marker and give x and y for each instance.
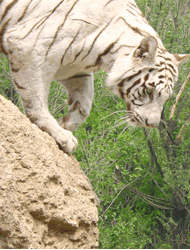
(151, 88)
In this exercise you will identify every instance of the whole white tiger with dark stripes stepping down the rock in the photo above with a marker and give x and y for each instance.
(68, 40)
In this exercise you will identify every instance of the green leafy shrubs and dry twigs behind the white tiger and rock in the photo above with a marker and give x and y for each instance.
(140, 175)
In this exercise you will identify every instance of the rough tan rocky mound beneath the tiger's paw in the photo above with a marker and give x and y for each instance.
(46, 201)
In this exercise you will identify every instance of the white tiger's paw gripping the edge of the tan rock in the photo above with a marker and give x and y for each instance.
(66, 140)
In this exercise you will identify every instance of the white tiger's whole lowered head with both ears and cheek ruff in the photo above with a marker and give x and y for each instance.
(145, 79)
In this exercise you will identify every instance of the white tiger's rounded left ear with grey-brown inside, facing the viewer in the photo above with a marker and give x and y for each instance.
(147, 49)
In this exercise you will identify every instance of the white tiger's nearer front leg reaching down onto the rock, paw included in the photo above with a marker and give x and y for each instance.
(32, 76)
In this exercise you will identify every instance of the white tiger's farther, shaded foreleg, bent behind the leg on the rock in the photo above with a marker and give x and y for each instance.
(80, 89)
